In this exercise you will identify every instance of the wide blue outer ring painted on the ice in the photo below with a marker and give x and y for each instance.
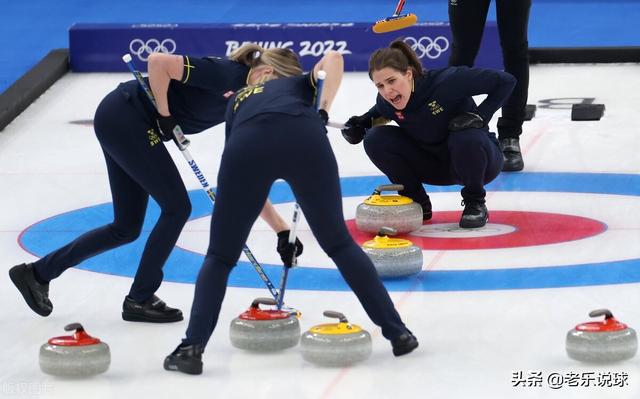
(183, 266)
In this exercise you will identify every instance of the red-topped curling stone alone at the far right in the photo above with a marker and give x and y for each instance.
(602, 341)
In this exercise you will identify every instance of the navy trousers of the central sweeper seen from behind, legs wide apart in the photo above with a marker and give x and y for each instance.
(296, 149)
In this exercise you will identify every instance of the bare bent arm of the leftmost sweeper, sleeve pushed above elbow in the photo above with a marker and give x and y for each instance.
(162, 69)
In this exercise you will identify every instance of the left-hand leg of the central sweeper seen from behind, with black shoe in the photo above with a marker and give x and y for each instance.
(241, 193)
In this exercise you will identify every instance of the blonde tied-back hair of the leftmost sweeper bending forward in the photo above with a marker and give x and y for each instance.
(283, 61)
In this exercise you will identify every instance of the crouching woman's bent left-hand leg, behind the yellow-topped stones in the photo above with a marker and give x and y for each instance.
(402, 160)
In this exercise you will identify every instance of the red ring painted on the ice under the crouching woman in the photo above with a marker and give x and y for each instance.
(531, 228)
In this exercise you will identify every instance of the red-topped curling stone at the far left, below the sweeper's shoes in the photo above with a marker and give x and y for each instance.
(77, 355)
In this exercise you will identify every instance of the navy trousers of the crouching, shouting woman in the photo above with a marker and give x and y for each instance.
(470, 157)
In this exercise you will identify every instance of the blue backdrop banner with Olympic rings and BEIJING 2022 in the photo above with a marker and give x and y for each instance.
(99, 47)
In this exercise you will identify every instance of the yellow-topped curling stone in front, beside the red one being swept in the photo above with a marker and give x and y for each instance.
(336, 344)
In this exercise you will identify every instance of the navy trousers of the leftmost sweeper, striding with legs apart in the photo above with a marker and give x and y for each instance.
(138, 165)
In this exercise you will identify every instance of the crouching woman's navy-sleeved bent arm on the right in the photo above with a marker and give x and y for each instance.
(497, 85)
